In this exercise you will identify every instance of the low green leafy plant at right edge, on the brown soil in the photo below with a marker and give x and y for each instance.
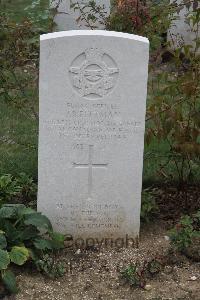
(185, 231)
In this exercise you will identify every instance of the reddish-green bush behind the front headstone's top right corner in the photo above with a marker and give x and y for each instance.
(147, 18)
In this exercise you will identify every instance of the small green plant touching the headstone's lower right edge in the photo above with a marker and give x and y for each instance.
(148, 206)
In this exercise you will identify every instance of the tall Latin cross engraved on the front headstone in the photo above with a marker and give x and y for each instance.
(90, 165)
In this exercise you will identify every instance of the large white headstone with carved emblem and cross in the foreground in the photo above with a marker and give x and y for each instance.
(93, 87)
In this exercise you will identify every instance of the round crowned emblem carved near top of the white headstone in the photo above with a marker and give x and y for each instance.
(93, 73)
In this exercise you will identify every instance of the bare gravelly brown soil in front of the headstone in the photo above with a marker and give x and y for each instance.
(94, 275)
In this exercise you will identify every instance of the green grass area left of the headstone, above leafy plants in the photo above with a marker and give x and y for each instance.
(18, 142)
